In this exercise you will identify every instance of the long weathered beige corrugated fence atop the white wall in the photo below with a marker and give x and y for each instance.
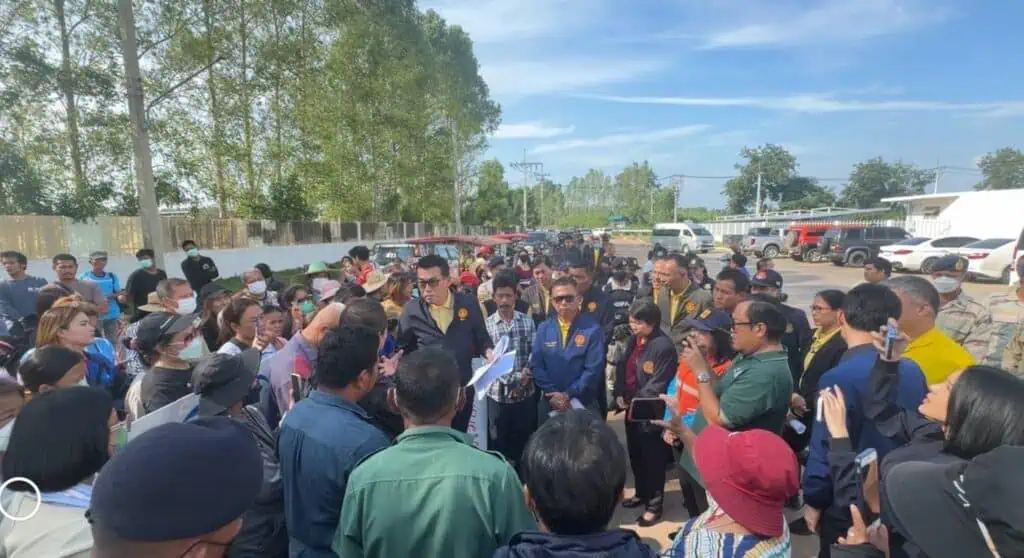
(42, 237)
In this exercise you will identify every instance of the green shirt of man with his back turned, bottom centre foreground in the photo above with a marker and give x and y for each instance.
(432, 494)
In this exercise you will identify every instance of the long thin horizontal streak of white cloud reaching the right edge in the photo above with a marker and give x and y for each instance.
(824, 104)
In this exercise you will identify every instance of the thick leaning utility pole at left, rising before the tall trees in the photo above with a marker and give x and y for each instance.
(153, 232)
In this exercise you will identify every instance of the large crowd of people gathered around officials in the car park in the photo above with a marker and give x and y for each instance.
(332, 414)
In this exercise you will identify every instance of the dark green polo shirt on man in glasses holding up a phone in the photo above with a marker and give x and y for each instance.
(754, 393)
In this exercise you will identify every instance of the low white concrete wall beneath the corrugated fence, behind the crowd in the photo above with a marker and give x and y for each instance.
(230, 263)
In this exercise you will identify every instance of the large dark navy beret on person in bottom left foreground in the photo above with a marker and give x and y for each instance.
(209, 465)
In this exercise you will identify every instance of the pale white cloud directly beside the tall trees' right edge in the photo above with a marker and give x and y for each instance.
(521, 78)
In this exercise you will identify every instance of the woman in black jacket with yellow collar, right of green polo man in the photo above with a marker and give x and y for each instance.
(821, 355)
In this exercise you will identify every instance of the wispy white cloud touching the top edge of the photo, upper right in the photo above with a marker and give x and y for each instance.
(835, 22)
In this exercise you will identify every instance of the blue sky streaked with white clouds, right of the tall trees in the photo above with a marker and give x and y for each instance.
(686, 84)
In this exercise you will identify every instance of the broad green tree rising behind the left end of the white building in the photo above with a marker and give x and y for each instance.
(874, 180)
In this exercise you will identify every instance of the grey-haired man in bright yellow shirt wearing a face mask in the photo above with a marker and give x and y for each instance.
(934, 352)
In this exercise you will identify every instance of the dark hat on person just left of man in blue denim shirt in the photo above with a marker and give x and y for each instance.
(223, 380)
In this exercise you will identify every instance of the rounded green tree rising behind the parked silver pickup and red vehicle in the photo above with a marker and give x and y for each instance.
(775, 164)
